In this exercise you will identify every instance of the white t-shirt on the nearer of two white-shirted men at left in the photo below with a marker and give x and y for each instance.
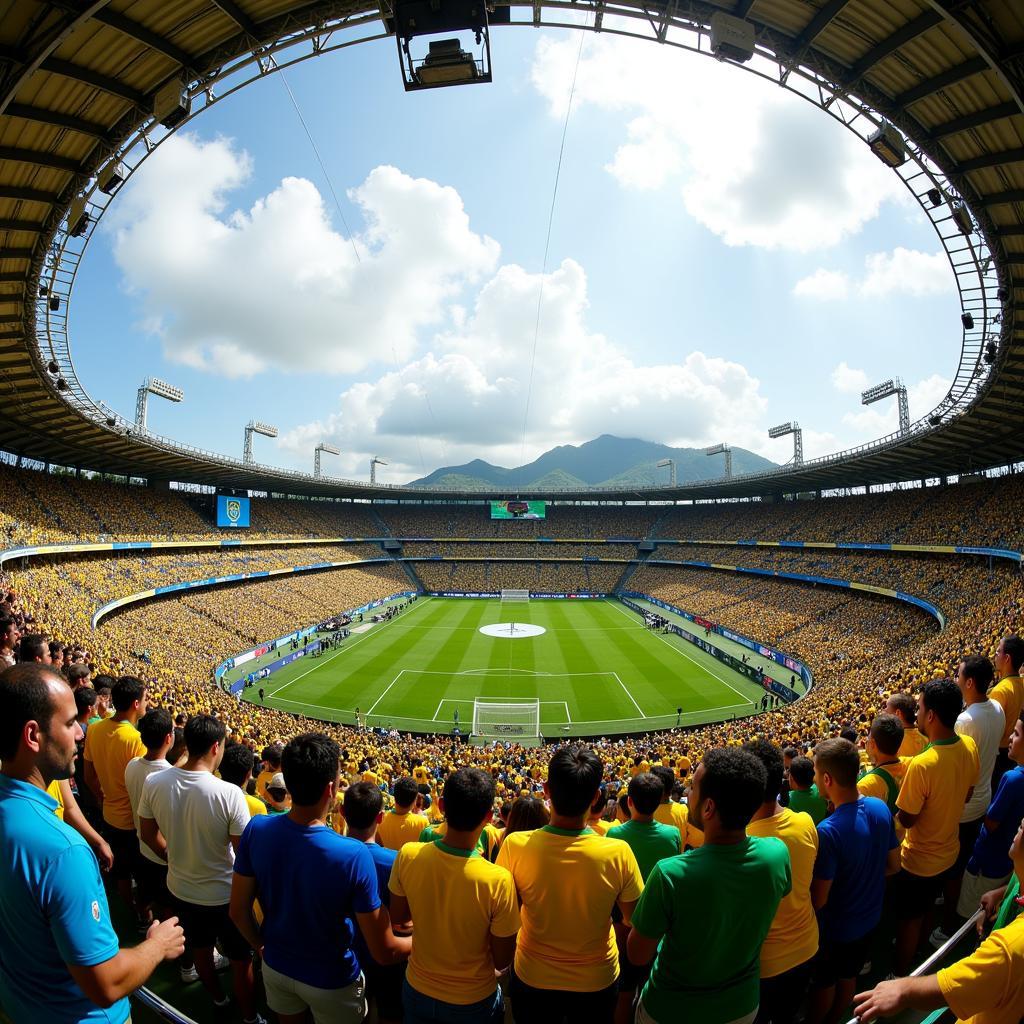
(198, 815)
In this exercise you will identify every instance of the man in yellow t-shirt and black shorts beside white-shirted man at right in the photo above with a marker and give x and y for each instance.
(938, 783)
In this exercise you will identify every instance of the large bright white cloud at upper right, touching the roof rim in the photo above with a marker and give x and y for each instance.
(756, 166)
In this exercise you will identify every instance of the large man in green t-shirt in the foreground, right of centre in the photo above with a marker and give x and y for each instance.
(707, 913)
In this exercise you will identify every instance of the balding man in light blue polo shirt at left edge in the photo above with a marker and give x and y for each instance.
(60, 960)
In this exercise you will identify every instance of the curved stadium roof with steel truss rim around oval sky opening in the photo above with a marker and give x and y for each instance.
(78, 80)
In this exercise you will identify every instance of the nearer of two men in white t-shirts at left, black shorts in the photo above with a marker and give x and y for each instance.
(194, 821)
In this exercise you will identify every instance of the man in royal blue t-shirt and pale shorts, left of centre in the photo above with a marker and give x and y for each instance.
(311, 883)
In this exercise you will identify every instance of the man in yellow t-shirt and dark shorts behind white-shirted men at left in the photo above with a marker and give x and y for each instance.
(110, 745)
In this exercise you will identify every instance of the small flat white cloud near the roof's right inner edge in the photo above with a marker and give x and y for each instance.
(903, 272)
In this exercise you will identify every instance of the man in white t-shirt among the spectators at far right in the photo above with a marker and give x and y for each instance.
(984, 721)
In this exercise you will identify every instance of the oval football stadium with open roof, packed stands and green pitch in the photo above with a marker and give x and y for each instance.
(425, 630)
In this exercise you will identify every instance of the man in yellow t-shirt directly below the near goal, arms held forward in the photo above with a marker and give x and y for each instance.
(569, 880)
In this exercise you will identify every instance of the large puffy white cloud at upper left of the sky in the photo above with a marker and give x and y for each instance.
(277, 286)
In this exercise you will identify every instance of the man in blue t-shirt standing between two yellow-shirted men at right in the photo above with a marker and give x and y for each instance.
(858, 848)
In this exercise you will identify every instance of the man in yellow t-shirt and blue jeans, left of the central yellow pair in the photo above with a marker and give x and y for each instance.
(464, 911)
